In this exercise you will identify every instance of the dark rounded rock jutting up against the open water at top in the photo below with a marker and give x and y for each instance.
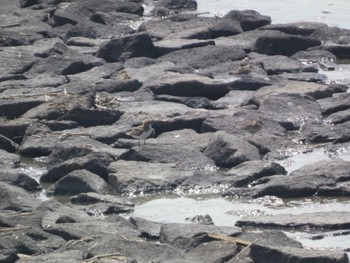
(249, 19)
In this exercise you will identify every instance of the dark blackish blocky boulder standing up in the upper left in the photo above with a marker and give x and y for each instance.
(122, 48)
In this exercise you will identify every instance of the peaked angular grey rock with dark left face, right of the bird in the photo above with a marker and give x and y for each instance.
(228, 150)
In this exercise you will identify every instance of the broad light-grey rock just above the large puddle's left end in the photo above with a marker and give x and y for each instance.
(136, 178)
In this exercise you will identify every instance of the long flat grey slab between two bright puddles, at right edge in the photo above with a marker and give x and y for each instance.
(318, 221)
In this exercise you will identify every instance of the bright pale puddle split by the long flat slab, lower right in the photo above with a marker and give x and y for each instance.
(179, 209)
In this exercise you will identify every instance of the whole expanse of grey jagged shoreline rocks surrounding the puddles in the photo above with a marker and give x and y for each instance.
(228, 98)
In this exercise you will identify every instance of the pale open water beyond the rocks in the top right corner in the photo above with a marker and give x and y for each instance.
(331, 12)
